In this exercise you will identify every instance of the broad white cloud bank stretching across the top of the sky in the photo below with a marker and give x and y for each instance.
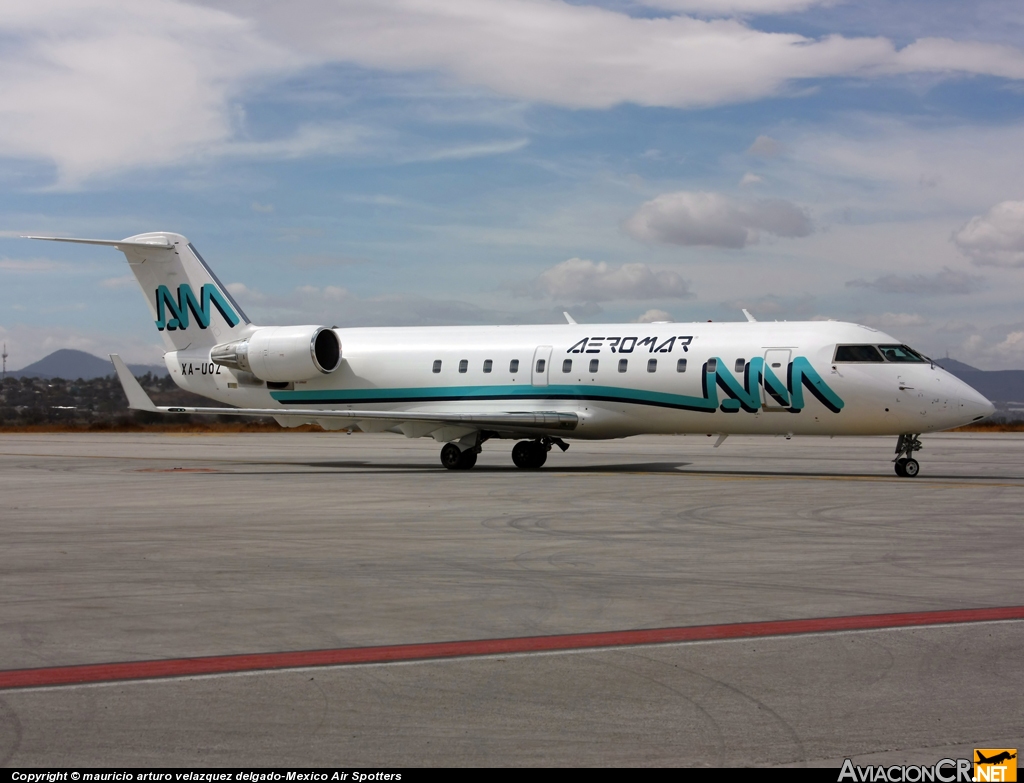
(100, 86)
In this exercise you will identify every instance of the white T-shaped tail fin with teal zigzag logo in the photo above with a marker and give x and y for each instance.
(191, 307)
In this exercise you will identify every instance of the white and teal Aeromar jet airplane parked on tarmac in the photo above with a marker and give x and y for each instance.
(537, 385)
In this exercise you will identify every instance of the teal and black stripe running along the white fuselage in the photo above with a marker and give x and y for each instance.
(511, 394)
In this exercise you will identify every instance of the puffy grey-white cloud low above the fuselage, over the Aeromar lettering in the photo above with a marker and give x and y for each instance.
(582, 280)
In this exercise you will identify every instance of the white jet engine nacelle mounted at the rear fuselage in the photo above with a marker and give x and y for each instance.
(283, 354)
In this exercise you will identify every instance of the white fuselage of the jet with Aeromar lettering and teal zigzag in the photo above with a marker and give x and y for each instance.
(727, 386)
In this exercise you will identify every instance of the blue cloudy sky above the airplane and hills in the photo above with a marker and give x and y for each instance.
(461, 162)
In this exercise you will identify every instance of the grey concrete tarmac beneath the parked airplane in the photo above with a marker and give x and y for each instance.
(143, 548)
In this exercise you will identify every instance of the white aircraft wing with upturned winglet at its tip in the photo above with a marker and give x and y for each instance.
(140, 401)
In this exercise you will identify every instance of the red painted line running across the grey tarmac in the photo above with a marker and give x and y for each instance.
(177, 668)
